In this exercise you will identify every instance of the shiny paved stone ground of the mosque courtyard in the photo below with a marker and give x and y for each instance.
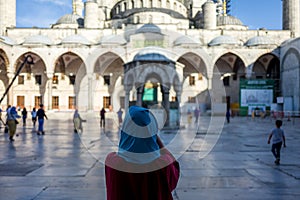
(218, 160)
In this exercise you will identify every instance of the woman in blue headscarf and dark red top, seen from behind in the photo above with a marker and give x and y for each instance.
(142, 168)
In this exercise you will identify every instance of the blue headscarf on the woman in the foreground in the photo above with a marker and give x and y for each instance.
(138, 143)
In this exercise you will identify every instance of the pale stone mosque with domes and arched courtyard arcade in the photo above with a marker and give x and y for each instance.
(168, 53)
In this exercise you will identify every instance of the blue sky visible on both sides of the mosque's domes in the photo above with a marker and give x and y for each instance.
(253, 13)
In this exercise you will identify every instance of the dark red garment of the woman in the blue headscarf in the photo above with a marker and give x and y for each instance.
(152, 185)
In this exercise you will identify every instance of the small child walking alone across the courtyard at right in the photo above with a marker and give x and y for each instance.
(278, 137)
